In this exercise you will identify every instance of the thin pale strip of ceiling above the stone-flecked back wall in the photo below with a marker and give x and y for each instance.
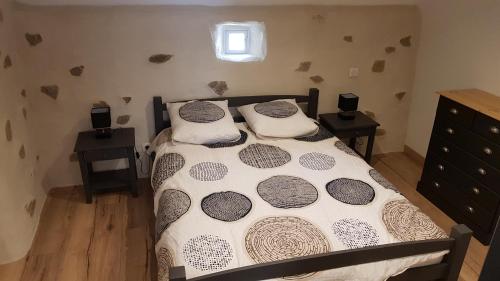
(217, 2)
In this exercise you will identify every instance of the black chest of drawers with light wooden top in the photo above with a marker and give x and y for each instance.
(462, 167)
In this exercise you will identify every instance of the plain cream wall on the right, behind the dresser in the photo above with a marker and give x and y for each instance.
(459, 48)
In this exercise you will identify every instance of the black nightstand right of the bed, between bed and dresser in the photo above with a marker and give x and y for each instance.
(360, 126)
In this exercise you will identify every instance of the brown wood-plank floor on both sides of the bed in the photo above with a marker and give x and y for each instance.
(111, 239)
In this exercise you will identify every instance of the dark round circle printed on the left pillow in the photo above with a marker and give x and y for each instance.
(201, 112)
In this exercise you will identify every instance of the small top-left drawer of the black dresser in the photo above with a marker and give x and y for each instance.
(455, 112)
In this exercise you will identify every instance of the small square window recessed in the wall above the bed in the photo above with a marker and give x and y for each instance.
(239, 42)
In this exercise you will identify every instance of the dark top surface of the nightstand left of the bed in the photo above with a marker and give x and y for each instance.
(122, 137)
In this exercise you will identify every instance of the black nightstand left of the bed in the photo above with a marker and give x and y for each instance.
(120, 145)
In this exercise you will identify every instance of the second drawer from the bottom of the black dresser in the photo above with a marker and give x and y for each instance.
(468, 185)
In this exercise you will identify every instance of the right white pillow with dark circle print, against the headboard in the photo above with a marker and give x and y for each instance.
(278, 119)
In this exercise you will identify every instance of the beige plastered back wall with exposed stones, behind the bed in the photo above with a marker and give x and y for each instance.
(110, 48)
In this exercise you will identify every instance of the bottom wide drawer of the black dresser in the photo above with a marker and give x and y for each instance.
(464, 206)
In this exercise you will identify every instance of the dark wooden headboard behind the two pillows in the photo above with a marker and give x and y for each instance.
(311, 99)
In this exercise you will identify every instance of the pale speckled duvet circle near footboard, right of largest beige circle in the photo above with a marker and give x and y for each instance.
(354, 233)
